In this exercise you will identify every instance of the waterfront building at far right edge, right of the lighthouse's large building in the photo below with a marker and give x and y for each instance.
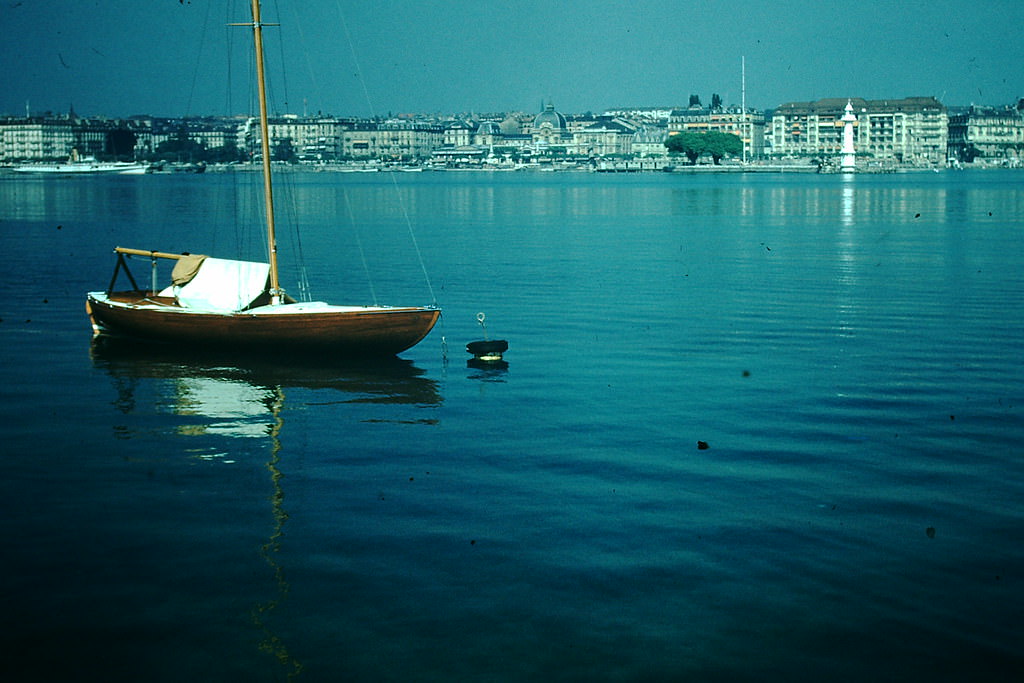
(989, 134)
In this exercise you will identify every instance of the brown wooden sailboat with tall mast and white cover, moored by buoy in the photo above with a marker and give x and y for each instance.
(216, 303)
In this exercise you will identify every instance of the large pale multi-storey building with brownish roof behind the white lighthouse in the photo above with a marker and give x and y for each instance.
(913, 131)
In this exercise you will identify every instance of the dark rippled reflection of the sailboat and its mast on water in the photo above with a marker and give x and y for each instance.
(230, 396)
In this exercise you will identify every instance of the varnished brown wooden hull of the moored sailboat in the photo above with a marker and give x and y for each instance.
(321, 328)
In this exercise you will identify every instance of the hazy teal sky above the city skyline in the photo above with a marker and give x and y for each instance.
(378, 58)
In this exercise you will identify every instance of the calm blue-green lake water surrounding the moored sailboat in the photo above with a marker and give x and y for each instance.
(850, 350)
